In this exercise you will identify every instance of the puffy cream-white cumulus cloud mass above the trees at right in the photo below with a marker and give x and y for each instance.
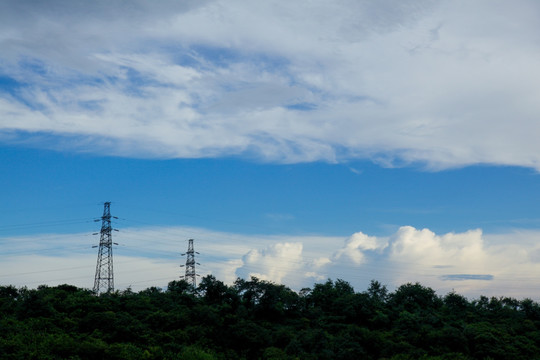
(471, 262)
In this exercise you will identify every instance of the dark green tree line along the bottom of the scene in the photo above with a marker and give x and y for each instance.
(256, 319)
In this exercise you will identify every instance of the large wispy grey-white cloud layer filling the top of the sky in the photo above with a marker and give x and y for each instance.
(443, 83)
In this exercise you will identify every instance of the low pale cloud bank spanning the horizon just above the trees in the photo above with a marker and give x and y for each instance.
(471, 263)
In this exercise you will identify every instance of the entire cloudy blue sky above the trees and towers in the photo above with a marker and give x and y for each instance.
(294, 141)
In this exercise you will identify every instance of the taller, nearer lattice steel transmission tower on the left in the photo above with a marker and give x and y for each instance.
(104, 280)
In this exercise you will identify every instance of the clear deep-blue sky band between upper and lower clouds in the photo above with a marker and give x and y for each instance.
(249, 197)
